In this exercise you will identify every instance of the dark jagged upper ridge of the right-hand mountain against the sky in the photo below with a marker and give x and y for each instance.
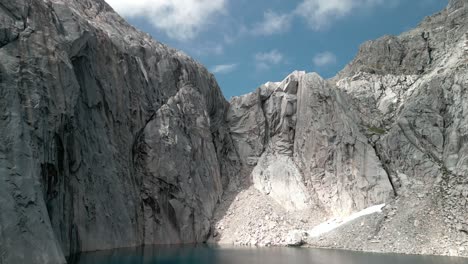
(416, 51)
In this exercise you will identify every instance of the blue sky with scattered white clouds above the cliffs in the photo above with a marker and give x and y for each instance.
(248, 42)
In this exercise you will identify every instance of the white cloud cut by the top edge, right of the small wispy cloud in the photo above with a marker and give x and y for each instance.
(322, 13)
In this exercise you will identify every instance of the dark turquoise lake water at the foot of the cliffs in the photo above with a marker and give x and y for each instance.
(214, 255)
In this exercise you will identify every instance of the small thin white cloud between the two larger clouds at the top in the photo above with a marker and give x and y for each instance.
(272, 23)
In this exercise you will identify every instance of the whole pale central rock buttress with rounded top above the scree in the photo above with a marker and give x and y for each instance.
(314, 155)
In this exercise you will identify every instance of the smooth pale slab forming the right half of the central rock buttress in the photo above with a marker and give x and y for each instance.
(339, 164)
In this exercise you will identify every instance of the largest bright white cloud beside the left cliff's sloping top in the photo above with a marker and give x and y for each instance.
(179, 19)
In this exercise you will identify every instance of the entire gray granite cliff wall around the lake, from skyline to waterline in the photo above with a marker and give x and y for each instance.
(110, 139)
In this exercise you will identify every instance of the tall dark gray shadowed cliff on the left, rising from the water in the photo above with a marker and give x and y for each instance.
(108, 138)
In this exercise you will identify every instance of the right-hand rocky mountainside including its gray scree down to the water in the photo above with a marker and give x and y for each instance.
(414, 114)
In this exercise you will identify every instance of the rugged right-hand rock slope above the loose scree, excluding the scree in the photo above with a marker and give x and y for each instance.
(417, 116)
